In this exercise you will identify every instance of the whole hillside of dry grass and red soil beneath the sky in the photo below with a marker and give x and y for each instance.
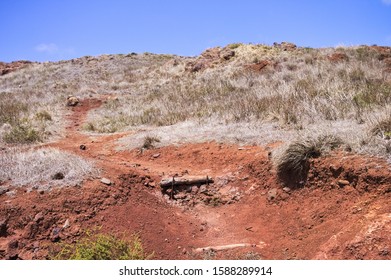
(296, 140)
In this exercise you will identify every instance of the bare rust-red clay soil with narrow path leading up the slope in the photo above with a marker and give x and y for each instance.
(342, 212)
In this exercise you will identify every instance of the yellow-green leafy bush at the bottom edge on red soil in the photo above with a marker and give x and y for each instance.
(99, 246)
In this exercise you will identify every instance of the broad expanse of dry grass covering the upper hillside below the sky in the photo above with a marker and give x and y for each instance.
(301, 90)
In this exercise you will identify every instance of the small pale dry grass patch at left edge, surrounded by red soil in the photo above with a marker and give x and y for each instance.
(43, 168)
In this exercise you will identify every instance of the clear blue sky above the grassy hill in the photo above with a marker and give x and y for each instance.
(50, 30)
